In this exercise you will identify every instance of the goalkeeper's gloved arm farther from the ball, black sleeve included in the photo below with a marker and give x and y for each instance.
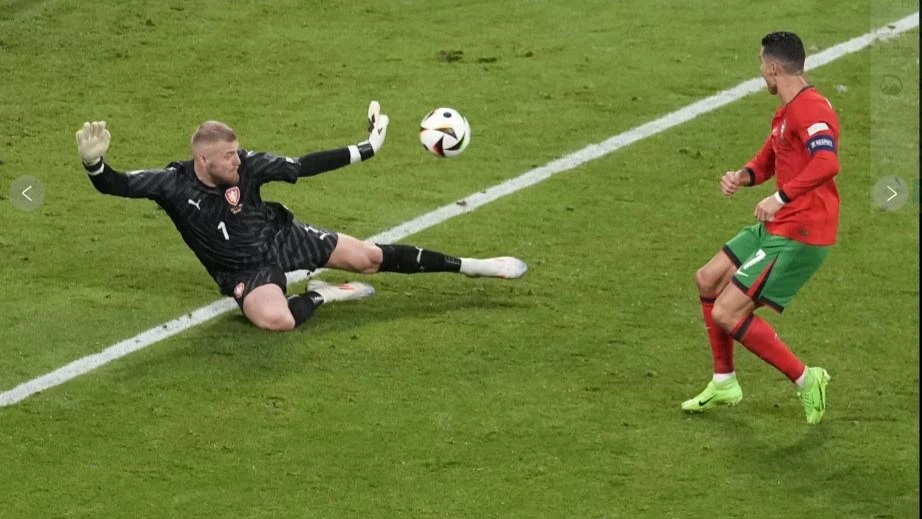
(92, 143)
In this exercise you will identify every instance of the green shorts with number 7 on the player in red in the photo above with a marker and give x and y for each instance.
(771, 269)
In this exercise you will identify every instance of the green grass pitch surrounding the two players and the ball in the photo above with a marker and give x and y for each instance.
(553, 396)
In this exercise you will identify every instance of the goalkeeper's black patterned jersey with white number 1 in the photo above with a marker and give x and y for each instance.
(228, 228)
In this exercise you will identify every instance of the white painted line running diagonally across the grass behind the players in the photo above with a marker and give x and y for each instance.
(446, 212)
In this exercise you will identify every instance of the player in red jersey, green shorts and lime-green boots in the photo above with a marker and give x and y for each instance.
(767, 263)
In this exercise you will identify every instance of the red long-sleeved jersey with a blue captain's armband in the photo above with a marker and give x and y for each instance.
(802, 154)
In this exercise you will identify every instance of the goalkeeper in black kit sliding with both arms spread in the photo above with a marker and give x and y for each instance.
(247, 244)
